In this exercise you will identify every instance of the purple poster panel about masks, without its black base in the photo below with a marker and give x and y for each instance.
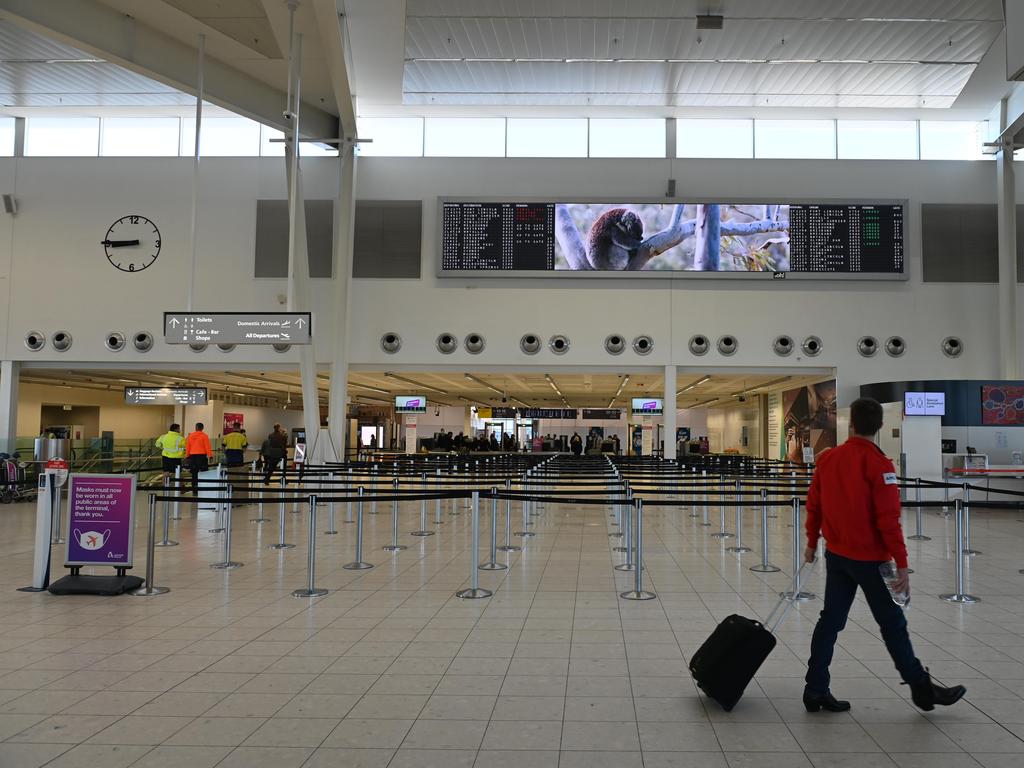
(101, 521)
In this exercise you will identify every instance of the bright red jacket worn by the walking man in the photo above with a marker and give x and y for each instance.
(855, 502)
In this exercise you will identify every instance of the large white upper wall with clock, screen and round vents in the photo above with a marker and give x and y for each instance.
(54, 274)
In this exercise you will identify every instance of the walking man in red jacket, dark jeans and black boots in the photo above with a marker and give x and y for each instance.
(855, 502)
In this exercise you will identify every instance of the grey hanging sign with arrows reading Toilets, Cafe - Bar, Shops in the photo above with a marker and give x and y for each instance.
(238, 328)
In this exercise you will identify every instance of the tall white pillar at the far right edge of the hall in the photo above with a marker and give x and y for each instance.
(1007, 205)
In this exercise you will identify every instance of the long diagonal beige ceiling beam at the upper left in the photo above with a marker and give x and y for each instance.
(122, 40)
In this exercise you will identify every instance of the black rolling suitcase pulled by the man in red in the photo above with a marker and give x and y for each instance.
(724, 666)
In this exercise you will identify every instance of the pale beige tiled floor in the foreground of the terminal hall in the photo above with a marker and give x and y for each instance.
(391, 669)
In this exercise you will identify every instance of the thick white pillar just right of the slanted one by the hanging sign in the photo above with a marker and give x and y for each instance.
(345, 228)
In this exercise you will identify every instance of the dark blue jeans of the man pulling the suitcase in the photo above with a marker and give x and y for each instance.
(843, 578)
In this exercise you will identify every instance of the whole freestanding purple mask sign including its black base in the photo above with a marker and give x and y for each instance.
(101, 532)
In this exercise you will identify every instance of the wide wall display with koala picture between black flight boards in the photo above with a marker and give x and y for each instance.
(805, 239)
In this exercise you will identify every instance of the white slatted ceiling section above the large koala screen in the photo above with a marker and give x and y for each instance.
(790, 54)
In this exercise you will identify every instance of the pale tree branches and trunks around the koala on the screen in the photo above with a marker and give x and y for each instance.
(708, 228)
